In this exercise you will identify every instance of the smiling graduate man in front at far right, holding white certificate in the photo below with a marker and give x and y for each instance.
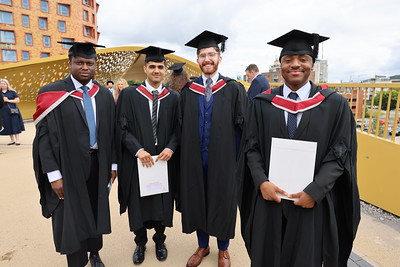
(317, 225)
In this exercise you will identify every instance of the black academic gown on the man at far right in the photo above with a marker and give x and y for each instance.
(326, 232)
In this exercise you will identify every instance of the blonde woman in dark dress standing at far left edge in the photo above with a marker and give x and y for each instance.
(12, 123)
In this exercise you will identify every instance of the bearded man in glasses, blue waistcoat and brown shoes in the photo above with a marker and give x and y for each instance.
(212, 110)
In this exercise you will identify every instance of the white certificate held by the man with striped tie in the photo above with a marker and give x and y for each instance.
(153, 180)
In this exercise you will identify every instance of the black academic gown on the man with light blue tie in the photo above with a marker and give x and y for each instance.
(62, 142)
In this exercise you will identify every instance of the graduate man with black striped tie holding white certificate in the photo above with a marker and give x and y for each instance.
(146, 122)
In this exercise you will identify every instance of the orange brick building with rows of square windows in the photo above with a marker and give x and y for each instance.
(30, 29)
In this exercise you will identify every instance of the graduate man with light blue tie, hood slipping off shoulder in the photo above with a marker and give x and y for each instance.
(73, 153)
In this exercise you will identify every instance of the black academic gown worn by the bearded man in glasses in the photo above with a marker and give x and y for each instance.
(212, 209)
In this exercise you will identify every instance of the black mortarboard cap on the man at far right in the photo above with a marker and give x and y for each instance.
(298, 42)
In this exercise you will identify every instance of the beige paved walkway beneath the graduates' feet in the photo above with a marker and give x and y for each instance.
(26, 238)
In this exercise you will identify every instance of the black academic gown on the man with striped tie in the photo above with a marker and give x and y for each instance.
(134, 131)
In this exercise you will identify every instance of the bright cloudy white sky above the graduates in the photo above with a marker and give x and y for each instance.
(364, 39)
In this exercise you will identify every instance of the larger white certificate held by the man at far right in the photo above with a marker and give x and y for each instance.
(292, 164)
